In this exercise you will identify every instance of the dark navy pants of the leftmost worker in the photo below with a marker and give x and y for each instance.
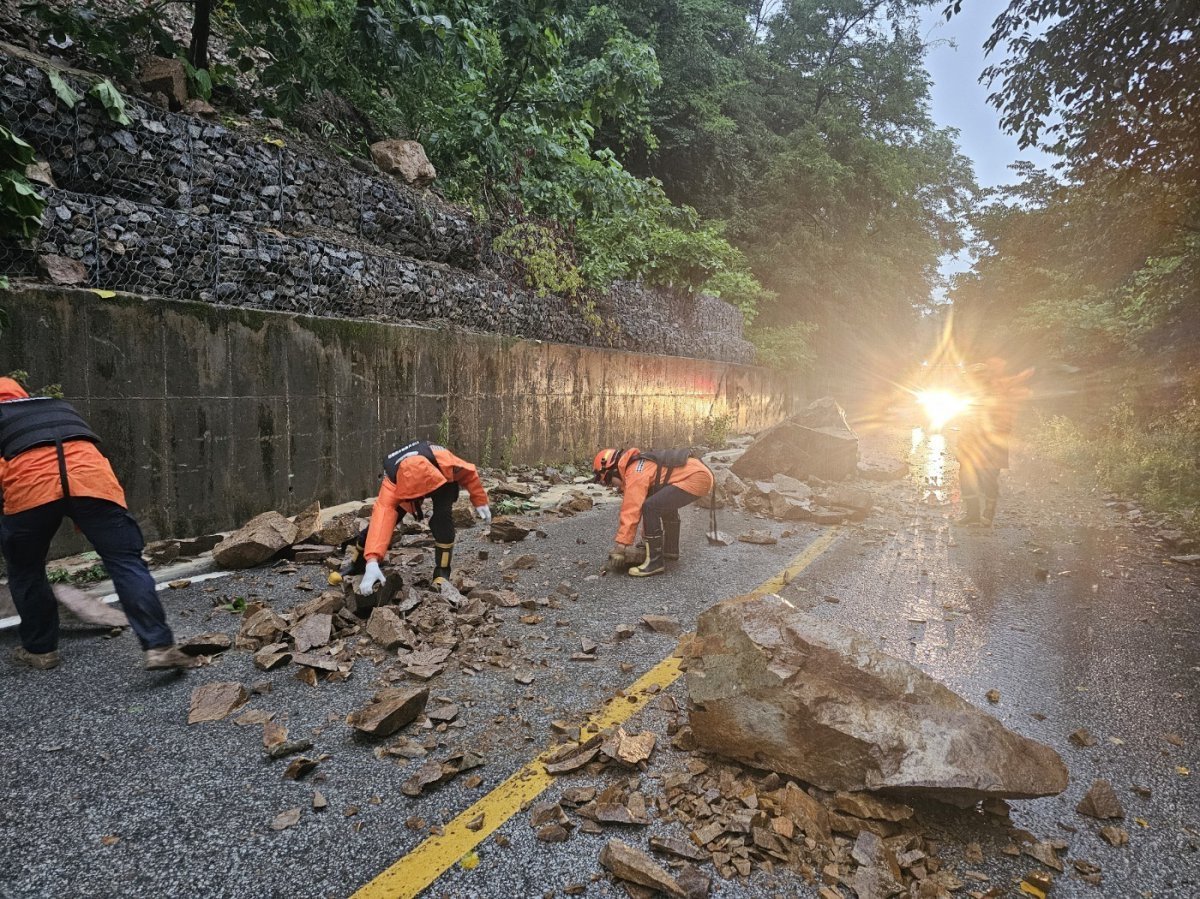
(26, 541)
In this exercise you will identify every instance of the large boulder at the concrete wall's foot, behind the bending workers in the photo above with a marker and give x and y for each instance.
(818, 442)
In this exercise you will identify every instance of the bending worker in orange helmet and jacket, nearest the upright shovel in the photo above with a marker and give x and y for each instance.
(656, 488)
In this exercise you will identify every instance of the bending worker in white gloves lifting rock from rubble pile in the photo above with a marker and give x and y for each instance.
(417, 472)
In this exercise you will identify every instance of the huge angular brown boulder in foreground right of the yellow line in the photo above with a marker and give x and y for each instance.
(779, 690)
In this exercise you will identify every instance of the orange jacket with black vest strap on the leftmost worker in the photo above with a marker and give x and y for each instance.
(32, 480)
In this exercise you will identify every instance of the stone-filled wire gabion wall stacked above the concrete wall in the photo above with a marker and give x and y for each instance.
(178, 207)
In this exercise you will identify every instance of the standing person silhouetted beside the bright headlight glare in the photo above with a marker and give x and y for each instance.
(986, 437)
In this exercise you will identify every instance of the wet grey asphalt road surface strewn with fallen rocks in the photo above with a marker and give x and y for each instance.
(109, 793)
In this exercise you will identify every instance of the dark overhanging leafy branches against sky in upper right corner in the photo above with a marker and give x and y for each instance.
(1108, 86)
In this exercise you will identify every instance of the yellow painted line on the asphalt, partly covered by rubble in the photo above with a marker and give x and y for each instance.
(422, 867)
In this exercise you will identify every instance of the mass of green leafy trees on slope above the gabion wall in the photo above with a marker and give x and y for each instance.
(781, 155)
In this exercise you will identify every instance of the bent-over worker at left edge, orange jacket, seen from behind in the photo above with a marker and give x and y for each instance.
(52, 469)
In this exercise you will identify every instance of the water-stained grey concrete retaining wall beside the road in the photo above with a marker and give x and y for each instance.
(213, 415)
